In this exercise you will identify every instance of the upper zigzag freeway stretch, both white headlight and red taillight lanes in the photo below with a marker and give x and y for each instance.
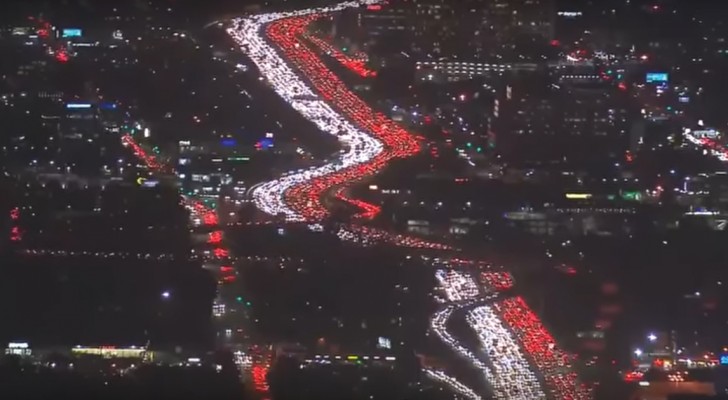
(369, 139)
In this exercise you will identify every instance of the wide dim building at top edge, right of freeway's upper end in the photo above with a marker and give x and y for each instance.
(472, 29)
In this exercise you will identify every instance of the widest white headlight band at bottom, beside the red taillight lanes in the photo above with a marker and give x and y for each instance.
(513, 378)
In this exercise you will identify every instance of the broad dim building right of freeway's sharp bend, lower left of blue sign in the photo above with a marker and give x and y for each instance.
(562, 122)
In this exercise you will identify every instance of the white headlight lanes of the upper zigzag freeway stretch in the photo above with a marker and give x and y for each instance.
(358, 146)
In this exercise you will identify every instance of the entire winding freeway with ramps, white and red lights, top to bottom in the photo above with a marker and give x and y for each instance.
(516, 354)
